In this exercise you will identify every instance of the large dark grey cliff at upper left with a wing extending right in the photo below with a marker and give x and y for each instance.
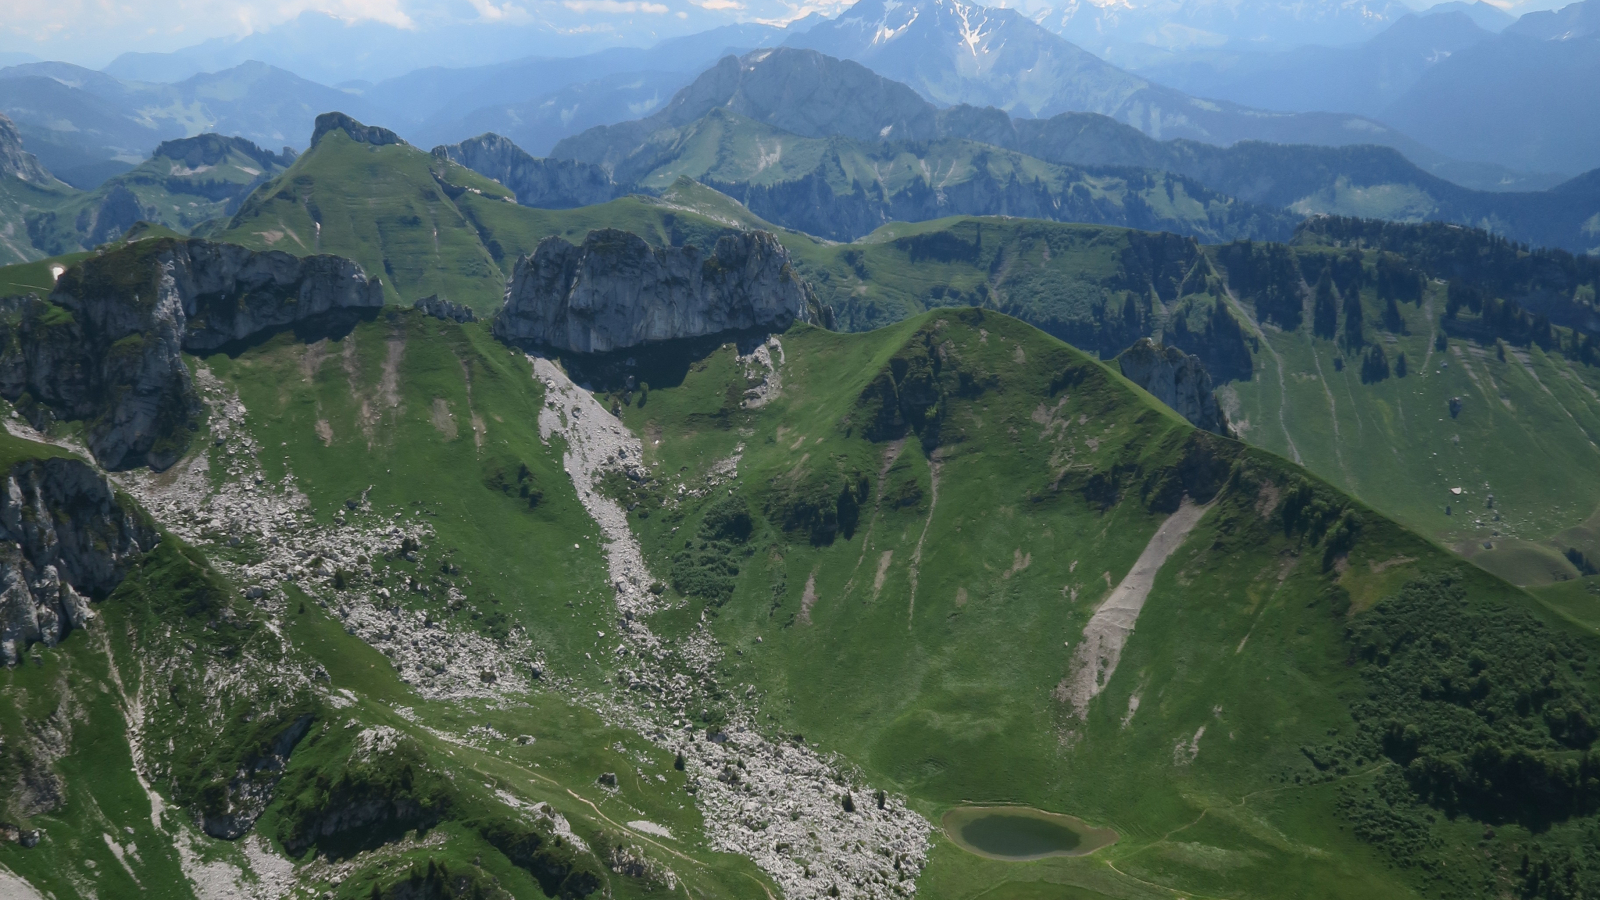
(108, 345)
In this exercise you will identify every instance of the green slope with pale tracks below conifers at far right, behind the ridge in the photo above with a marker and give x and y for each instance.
(1513, 422)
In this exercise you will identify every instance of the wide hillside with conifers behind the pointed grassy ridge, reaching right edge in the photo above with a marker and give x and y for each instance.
(1521, 380)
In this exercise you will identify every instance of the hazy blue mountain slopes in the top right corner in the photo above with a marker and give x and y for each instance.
(1521, 98)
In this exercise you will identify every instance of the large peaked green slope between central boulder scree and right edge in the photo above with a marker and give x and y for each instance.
(1236, 749)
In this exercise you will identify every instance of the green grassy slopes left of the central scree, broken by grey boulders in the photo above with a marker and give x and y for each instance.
(462, 419)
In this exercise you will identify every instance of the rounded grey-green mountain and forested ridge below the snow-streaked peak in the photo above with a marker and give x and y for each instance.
(740, 129)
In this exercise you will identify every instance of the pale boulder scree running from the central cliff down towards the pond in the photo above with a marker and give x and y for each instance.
(756, 795)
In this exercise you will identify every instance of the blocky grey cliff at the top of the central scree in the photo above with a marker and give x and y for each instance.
(617, 292)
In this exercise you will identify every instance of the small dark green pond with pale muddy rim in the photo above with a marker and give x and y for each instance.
(1022, 834)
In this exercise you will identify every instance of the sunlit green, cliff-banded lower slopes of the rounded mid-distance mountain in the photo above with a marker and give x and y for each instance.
(842, 188)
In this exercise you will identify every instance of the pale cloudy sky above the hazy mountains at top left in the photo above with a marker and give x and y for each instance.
(92, 33)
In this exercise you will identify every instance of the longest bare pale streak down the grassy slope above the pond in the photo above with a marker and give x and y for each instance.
(1110, 629)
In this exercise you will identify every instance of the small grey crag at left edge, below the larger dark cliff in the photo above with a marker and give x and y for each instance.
(65, 539)
